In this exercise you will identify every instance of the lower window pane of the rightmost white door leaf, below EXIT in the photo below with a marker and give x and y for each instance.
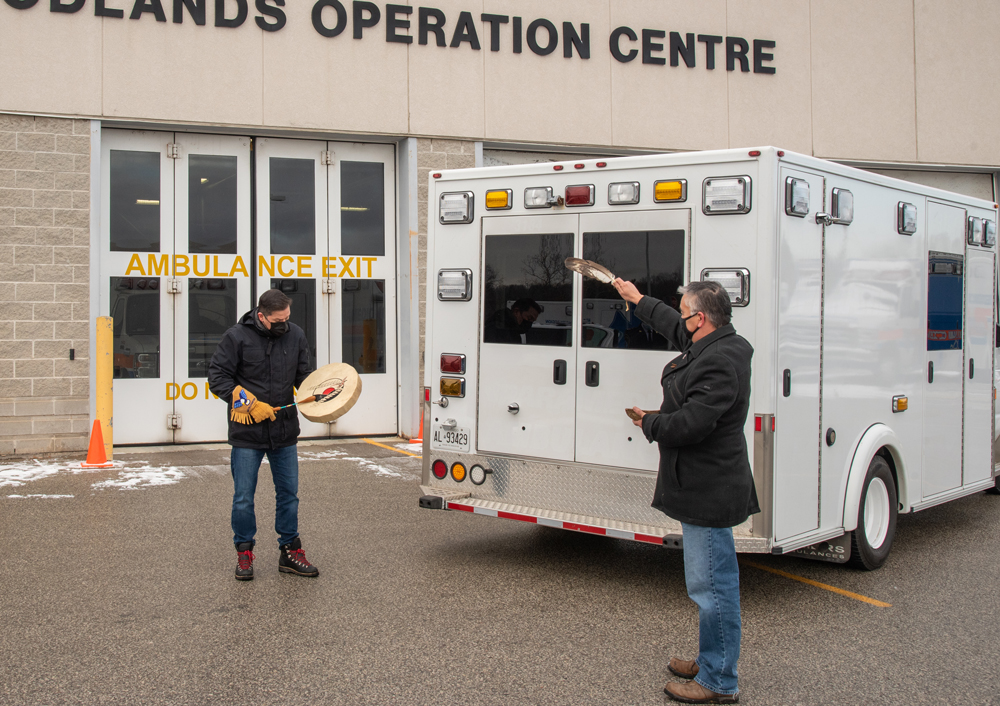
(363, 315)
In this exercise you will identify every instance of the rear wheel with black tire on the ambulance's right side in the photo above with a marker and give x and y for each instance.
(880, 527)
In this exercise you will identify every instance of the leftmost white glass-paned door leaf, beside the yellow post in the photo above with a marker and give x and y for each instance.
(137, 225)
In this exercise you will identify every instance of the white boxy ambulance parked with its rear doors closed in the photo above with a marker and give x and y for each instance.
(870, 303)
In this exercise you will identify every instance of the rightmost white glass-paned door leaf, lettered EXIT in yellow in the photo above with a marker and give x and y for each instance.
(360, 275)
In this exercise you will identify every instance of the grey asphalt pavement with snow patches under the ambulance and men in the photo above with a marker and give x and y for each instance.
(116, 587)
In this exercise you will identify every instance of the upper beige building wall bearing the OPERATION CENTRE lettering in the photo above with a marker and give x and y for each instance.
(896, 80)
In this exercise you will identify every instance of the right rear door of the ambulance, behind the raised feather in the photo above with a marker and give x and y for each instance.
(620, 359)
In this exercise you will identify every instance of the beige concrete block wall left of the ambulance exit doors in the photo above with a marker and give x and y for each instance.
(44, 284)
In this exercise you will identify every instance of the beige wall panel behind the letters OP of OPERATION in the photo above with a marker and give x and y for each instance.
(334, 83)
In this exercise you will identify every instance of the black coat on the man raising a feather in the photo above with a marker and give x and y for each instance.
(705, 477)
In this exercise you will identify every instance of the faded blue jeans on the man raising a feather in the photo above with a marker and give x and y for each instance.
(713, 581)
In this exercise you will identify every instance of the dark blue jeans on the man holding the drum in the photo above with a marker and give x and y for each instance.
(245, 463)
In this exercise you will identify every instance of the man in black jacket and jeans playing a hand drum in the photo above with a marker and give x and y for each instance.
(266, 355)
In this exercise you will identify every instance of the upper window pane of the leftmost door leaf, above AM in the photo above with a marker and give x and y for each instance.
(135, 201)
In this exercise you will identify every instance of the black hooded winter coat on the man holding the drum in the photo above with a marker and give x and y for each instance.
(267, 367)
